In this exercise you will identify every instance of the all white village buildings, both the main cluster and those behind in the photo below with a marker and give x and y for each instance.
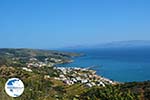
(70, 75)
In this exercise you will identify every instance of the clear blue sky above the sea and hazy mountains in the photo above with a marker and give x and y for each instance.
(64, 23)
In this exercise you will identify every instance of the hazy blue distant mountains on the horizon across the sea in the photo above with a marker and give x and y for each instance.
(115, 45)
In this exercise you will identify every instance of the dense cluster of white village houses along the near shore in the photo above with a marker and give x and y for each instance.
(84, 76)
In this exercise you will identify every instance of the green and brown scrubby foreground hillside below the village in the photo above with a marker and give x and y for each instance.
(40, 87)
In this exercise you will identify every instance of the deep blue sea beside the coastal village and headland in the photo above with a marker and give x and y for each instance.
(123, 65)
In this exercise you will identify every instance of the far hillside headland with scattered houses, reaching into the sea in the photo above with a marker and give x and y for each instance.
(33, 57)
